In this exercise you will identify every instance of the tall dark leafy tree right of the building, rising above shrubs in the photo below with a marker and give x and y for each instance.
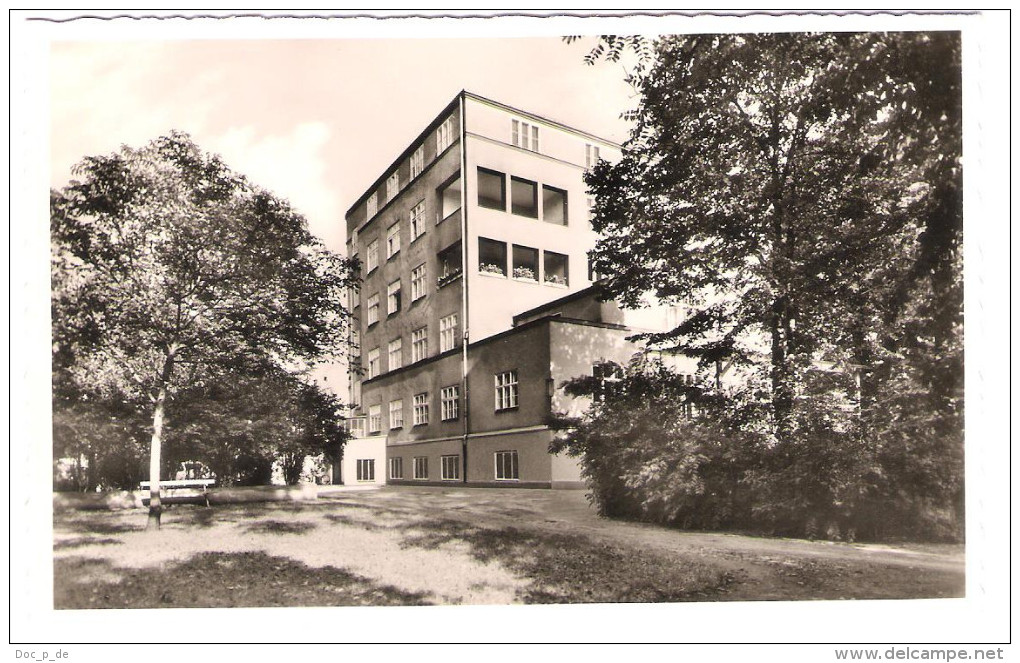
(801, 195)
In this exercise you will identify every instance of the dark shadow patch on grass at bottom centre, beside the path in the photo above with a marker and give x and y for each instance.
(572, 569)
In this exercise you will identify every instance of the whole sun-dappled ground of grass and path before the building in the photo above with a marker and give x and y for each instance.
(436, 546)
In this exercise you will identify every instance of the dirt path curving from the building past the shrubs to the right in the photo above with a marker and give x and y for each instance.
(761, 569)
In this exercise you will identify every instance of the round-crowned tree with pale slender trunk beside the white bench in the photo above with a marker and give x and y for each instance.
(171, 271)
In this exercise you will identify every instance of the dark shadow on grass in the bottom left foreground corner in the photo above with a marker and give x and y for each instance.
(219, 581)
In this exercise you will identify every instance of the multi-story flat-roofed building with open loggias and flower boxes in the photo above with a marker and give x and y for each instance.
(475, 304)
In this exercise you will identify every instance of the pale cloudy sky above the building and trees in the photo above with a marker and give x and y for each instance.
(315, 122)
